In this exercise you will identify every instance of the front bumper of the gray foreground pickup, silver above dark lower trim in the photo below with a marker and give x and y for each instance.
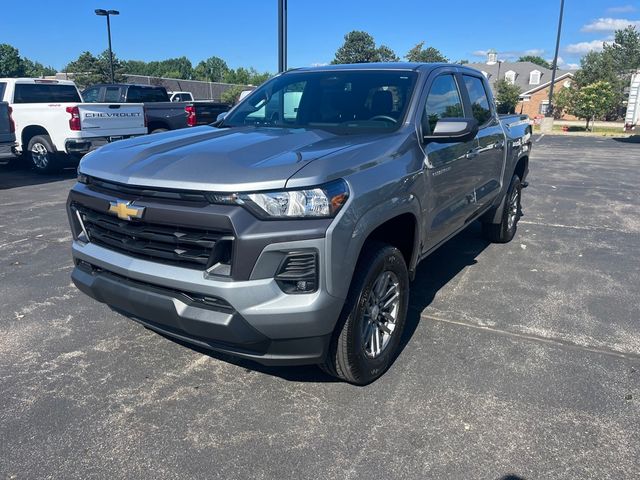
(256, 321)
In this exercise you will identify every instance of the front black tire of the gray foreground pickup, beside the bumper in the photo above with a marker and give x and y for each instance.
(349, 357)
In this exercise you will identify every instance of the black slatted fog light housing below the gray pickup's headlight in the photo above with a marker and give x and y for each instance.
(298, 272)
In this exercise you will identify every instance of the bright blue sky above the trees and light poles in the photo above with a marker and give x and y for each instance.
(244, 32)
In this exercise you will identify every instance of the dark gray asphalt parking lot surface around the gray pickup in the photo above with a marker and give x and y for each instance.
(521, 360)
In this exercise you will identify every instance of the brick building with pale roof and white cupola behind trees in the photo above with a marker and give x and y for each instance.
(532, 79)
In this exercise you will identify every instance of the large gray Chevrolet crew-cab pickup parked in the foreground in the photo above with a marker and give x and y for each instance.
(289, 233)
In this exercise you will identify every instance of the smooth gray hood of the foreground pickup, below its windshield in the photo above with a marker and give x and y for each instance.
(206, 158)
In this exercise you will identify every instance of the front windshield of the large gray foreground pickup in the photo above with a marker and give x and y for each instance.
(341, 101)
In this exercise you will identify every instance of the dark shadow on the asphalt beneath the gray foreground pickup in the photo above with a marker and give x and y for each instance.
(433, 273)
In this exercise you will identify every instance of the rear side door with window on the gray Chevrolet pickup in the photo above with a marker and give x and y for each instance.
(488, 160)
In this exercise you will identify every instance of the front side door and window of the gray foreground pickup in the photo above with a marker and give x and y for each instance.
(447, 164)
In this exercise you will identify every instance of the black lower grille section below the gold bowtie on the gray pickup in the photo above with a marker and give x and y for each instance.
(170, 244)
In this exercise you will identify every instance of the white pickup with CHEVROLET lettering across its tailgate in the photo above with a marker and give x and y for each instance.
(53, 126)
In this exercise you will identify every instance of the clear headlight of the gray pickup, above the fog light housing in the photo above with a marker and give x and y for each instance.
(316, 202)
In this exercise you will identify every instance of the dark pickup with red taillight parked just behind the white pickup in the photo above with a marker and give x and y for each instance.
(162, 114)
